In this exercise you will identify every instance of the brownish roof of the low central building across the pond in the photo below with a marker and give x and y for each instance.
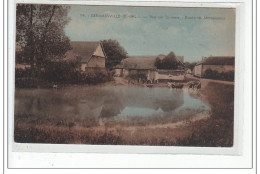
(139, 62)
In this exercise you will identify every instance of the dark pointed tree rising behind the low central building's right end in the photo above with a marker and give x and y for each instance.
(169, 62)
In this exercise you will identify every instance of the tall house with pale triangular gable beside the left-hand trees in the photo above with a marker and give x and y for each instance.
(91, 54)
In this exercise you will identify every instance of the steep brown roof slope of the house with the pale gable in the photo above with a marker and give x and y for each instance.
(84, 50)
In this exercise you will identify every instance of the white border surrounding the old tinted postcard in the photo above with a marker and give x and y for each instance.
(242, 126)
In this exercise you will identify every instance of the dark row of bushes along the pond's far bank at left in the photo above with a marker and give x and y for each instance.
(62, 72)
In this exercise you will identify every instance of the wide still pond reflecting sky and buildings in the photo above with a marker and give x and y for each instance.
(92, 106)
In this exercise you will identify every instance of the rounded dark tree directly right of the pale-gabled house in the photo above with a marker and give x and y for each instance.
(114, 51)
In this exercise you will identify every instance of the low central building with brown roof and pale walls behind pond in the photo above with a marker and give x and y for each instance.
(144, 67)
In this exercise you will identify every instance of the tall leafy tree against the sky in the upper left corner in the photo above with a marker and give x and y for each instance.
(40, 32)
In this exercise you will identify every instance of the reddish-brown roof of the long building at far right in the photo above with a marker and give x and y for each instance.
(218, 60)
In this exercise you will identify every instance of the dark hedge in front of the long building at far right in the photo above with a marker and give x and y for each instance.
(213, 74)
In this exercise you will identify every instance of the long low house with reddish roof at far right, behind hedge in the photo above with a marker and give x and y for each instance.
(215, 63)
